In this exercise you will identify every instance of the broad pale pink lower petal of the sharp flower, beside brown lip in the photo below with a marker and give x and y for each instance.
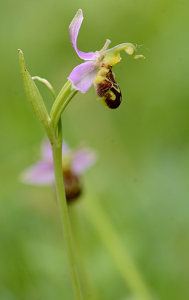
(83, 76)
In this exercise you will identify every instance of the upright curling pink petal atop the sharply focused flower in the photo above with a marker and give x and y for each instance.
(74, 30)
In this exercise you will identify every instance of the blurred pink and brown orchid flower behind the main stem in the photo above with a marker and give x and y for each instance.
(74, 164)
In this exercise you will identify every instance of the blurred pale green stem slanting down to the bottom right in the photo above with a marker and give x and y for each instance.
(116, 249)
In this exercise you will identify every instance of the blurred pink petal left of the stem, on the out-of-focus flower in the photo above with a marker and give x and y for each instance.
(41, 173)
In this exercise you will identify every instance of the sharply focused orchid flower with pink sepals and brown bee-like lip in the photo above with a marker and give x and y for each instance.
(97, 68)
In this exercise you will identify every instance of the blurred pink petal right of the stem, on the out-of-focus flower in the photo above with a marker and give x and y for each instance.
(82, 160)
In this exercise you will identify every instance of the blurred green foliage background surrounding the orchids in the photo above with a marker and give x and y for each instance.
(141, 178)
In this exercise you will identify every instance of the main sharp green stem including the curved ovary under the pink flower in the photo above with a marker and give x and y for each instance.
(60, 103)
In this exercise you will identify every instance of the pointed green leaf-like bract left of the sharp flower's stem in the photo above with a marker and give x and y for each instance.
(33, 94)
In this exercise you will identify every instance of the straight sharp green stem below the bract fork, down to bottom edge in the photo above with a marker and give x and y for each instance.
(61, 197)
